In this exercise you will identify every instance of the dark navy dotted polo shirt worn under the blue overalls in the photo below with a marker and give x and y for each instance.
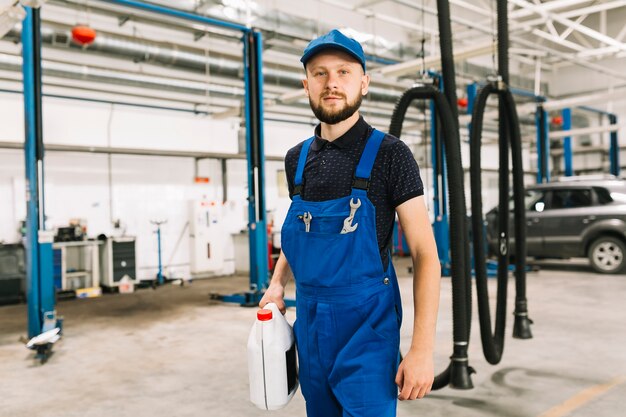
(330, 168)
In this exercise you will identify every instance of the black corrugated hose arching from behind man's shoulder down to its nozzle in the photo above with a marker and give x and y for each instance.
(458, 373)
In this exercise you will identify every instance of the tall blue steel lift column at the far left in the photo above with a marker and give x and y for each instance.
(32, 201)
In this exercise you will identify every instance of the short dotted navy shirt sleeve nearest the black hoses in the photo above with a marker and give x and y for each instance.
(404, 180)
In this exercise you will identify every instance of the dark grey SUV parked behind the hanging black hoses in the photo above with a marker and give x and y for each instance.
(573, 217)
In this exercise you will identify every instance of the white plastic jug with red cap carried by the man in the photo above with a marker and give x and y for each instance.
(272, 360)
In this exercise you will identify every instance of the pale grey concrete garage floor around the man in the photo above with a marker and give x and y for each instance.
(173, 353)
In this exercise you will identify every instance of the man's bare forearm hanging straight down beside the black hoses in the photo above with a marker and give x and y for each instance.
(426, 280)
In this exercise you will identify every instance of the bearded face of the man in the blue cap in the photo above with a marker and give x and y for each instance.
(335, 84)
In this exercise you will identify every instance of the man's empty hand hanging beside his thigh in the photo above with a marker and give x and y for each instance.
(415, 376)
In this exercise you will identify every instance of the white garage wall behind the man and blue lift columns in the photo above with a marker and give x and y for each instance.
(145, 188)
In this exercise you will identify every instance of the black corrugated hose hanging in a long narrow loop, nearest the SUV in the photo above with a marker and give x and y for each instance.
(509, 134)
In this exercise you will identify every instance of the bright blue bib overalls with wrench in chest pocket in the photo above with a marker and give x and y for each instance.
(348, 308)
